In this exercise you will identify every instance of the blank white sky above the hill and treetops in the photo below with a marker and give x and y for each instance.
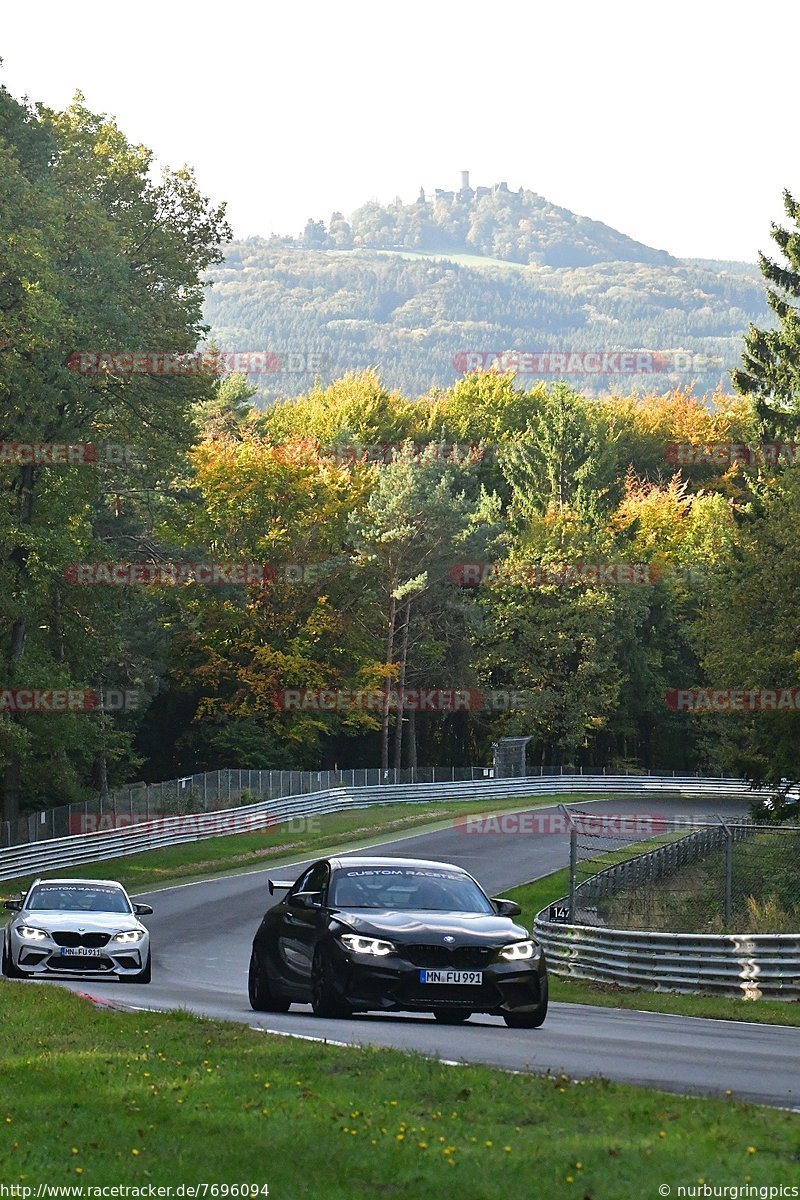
(675, 123)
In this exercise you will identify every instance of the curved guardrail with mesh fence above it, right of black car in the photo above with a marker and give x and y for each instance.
(726, 875)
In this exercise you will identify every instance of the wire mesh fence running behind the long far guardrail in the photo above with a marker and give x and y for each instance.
(228, 789)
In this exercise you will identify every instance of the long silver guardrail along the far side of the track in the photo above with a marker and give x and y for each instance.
(80, 849)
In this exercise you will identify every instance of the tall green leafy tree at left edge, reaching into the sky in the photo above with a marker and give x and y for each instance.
(97, 257)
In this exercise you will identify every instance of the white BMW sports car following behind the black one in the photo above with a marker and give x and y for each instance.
(77, 928)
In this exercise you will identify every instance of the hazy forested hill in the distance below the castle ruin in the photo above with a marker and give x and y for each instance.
(408, 289)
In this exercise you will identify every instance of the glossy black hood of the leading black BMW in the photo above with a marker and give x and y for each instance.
(424, 926)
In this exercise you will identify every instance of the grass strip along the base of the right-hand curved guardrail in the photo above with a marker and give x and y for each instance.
(534, 897)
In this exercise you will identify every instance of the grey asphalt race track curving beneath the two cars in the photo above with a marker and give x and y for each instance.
(202, 934)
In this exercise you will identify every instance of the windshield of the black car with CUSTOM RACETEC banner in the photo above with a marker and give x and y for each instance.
(407, 889)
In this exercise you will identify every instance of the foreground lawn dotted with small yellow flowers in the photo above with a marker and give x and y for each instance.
(99, 1097)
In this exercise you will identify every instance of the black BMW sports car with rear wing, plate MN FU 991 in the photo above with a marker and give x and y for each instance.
(396, 934)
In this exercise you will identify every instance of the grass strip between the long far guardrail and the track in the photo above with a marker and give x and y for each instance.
(284, 843)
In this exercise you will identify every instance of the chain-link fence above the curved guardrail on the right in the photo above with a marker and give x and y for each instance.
(683, 877)
